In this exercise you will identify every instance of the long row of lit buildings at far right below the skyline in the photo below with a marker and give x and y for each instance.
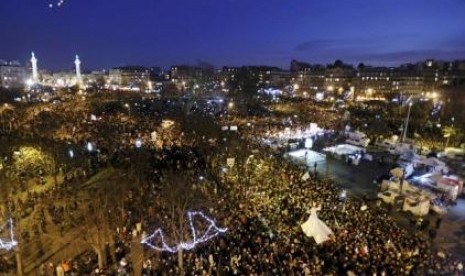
(368, 81)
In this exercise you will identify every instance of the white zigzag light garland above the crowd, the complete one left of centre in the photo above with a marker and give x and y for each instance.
(211, 232)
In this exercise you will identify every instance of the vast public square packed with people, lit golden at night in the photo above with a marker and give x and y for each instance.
(118, 176)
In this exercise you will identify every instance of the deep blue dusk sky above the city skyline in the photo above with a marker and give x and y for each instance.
(107, 33)
